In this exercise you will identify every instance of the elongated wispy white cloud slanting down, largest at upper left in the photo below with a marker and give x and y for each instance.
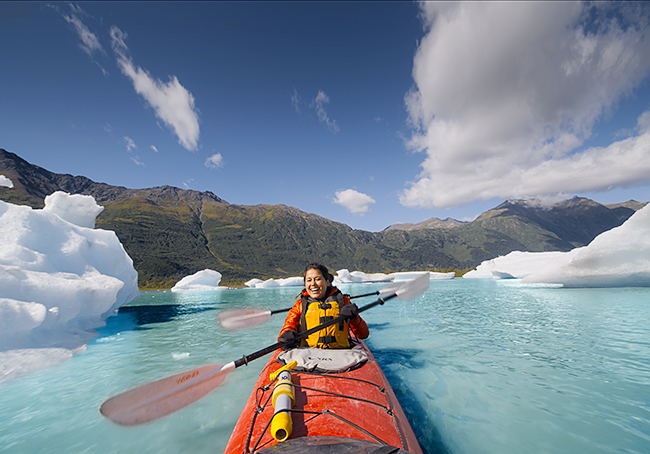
(172, 103)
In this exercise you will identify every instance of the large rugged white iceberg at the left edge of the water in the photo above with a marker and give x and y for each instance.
(59, 280)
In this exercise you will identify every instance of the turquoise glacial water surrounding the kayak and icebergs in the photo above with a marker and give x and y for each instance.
(479, 367)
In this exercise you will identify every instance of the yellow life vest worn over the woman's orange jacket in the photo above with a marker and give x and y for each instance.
(316, 313)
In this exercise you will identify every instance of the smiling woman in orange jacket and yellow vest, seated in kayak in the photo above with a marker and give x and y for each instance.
(317, 303)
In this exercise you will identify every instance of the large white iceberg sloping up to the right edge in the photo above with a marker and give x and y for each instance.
(619, 257)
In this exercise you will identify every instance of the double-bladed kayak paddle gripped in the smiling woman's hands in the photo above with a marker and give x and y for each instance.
(154, 400)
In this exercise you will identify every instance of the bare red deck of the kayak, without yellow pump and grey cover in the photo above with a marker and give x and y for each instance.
(356, 405)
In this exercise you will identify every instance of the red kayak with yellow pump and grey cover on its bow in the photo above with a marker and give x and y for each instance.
(332, 401)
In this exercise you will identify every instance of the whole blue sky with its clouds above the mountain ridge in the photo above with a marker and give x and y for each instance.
(367, 113)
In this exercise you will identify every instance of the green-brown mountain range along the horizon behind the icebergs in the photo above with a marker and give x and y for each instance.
(171, 233)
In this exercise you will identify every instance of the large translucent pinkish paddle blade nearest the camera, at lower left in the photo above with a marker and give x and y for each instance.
(162, 397)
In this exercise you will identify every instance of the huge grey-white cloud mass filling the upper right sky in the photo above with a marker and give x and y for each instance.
(506, 93)
